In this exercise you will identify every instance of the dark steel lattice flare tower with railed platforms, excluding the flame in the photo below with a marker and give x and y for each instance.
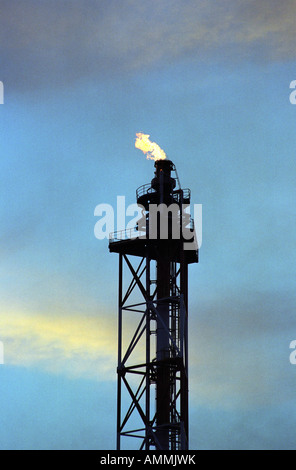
(153, 317)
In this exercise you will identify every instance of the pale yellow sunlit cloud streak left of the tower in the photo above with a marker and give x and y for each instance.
(76, 346)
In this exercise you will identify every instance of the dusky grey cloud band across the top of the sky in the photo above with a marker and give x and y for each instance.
(58, 42)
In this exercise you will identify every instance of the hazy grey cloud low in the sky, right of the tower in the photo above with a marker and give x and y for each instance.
(239, 350)
